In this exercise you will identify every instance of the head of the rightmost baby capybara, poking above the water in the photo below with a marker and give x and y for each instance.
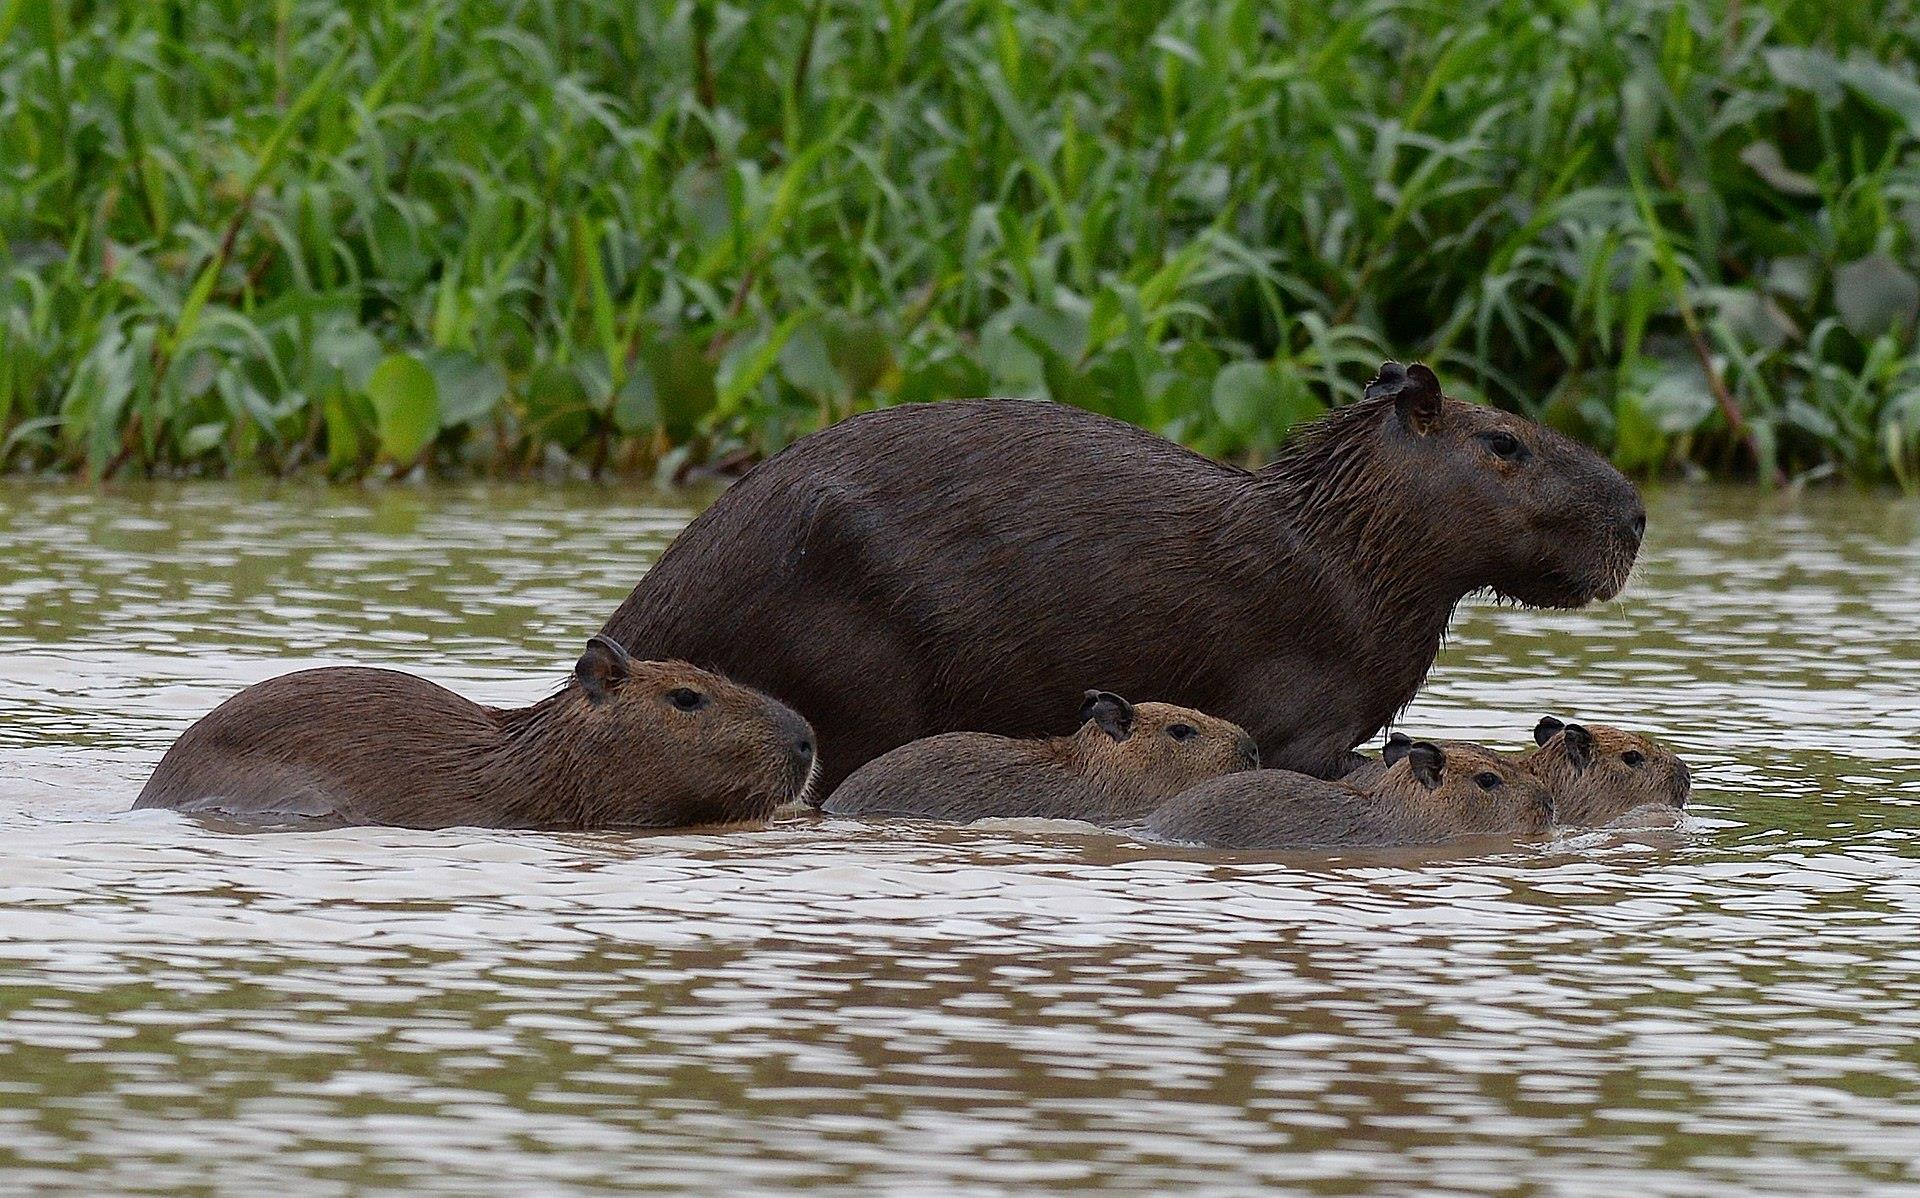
(1598, 773)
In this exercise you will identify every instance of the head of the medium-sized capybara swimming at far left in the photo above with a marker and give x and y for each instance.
(702, 750)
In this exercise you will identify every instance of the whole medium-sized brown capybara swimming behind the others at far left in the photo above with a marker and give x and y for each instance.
(635, 744)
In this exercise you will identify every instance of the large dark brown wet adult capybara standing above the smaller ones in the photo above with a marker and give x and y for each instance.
(963, 567)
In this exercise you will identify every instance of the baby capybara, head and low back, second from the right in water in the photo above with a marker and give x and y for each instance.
(1428, 796)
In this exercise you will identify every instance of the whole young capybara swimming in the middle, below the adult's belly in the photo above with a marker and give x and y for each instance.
(1124, 761)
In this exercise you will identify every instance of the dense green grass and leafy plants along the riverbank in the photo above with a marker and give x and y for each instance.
(281, 235)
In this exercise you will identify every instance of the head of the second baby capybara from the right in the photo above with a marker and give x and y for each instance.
(1466, 790)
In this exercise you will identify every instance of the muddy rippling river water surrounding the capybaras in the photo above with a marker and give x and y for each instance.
(1727, 1007)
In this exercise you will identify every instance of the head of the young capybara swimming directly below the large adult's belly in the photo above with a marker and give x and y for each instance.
(1159, 750)
